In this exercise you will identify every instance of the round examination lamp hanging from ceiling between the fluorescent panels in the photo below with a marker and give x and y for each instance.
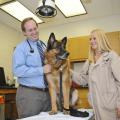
(46, 9)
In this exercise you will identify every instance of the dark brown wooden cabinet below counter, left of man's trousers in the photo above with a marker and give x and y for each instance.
(8, 108)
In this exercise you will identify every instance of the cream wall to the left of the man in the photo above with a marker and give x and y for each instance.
(8, 40)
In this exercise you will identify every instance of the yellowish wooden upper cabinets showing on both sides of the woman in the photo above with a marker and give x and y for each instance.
(79, 46)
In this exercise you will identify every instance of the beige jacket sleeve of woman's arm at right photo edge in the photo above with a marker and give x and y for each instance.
(115, 65)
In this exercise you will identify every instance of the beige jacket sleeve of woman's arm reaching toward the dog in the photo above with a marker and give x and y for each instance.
(82, 77)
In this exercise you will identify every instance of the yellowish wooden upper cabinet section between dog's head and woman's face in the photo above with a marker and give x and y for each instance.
(78, 48)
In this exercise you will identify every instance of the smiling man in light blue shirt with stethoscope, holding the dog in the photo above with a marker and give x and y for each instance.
(32, 95)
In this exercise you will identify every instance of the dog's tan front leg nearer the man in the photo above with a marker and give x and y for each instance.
(52, 92)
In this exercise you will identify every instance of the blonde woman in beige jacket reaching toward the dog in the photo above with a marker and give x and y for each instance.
(102, 72)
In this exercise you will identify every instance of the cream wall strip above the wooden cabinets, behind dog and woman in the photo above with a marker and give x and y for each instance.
(81, 28)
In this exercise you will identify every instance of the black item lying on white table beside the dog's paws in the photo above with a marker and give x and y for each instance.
(76, 113)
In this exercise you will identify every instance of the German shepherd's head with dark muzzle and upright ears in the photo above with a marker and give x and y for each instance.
(57, 49)
